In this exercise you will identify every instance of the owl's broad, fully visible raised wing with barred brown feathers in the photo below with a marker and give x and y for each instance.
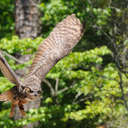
(58, 44)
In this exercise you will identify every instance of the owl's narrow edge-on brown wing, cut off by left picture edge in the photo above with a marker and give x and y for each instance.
(7, 71)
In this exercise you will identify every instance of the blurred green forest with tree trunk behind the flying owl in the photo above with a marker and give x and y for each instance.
(86, 89)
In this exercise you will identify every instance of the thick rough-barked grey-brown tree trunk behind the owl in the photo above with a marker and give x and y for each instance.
(27, 25)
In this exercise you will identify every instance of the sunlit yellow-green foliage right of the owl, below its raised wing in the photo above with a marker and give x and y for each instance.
(98, 87)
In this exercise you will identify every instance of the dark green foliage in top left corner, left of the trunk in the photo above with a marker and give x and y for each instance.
(6, 18)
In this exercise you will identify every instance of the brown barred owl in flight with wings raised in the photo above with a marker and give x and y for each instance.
(58, 44)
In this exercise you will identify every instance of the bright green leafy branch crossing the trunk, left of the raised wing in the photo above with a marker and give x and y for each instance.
(15, 45)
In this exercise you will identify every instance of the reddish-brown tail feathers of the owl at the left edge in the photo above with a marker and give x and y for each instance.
(6, 96)
